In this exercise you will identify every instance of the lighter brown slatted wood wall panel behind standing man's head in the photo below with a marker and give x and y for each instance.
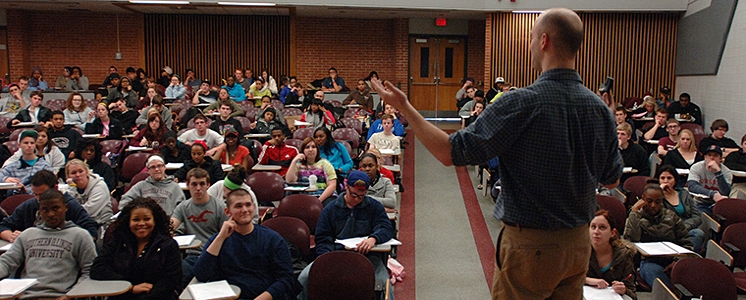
(637, 49)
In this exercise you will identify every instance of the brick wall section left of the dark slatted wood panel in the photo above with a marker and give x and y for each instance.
(53, 40)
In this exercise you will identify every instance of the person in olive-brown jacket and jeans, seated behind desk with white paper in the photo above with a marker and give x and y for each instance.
(649, 221)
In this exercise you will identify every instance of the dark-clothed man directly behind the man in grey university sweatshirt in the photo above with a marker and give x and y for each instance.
(26, 215)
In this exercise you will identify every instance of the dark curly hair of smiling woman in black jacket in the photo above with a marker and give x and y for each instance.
(162, 221)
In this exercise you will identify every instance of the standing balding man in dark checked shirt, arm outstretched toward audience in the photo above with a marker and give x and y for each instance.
(556, 142)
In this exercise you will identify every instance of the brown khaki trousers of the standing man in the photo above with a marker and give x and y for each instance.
(541, 264)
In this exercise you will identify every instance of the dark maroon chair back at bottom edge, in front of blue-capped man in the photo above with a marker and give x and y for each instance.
(341, 275)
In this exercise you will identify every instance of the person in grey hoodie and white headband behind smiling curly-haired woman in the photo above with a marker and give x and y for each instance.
(159, 187)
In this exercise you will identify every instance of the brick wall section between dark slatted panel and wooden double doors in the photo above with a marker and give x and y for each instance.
(353, 46)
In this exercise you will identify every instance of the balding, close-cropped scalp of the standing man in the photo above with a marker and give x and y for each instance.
(565, 30)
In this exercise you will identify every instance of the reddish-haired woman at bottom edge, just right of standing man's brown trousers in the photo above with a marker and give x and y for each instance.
(612, 259)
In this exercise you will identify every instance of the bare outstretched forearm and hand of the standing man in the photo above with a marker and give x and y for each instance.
(437, 141)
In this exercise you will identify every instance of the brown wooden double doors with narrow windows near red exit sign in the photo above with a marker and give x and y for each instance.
(437, 68)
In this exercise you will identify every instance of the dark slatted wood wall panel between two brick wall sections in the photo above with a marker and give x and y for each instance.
(215, 45)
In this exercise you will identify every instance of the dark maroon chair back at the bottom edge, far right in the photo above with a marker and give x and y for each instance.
(705, 277)
